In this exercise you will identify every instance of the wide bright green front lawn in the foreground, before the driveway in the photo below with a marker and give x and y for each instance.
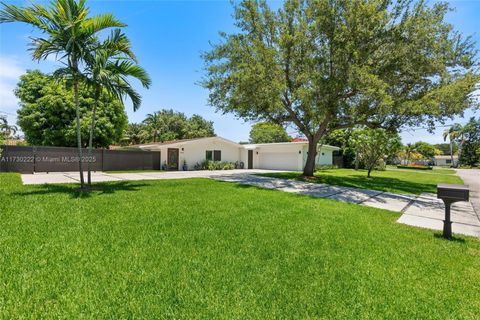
(202, 249)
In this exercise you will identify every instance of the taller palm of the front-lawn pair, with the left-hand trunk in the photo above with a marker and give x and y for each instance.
(70, 36)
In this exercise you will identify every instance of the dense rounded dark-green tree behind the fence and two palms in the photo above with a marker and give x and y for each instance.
(47, 113)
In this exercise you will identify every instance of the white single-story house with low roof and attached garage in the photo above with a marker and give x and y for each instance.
(279, 156)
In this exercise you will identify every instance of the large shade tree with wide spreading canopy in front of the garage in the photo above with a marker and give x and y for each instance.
(330, 64)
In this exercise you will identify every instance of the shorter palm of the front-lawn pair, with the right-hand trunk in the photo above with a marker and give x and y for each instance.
(108, 69)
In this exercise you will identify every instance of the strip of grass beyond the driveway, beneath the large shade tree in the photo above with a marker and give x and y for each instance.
(392, 180)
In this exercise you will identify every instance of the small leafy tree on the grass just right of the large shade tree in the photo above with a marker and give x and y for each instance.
(373, 145)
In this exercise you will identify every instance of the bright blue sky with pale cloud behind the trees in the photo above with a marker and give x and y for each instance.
(168, 37)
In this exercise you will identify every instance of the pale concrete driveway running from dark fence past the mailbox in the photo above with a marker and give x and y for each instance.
(424, 211)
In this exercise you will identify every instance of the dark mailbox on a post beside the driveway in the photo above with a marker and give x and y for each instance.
(451, 193)
